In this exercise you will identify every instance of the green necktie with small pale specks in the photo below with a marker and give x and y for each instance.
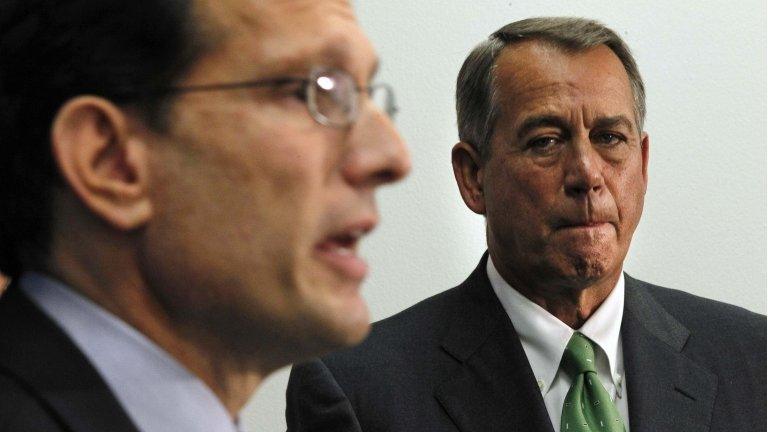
(588, 406)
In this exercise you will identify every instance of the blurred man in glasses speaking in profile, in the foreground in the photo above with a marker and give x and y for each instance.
(184, 185)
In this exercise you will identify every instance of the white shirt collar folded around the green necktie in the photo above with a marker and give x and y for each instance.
(545, 337)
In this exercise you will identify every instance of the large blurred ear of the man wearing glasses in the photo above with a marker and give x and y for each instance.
(102, 162)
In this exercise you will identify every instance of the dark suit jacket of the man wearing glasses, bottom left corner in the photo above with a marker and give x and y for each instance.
(46, 383)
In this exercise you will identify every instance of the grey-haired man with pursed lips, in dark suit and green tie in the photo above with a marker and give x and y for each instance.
(548, 333)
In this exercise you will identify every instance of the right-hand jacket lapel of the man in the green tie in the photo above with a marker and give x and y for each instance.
(667, 391)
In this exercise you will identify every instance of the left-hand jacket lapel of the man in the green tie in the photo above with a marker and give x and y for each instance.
(494, 388)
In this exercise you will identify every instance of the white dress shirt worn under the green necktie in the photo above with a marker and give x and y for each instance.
(545, 337)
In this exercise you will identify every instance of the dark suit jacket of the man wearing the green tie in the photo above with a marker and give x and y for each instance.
(454, 363)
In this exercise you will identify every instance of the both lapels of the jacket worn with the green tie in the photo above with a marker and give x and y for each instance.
(494, 387)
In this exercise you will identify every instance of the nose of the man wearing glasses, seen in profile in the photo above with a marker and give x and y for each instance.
(378, 155)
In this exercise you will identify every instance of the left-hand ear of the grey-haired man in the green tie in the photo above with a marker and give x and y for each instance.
(468, 171)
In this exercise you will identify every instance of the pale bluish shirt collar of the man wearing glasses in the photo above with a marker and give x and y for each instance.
(157, 392)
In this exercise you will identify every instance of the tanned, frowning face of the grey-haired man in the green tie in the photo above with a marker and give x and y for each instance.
(565, 182)
